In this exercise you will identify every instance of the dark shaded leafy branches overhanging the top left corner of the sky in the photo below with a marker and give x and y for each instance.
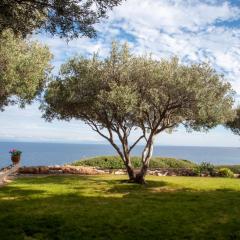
(65, 18)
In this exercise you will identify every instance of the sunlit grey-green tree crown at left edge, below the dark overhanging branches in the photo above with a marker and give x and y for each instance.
(24, 67)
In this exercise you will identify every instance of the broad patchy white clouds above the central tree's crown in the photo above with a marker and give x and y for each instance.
(165, 28)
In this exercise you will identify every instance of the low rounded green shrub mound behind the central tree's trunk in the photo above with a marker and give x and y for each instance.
(115, 162)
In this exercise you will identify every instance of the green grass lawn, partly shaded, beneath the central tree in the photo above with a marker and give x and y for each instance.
(106, 207)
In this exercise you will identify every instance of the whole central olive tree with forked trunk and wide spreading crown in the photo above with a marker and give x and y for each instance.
(124, 92)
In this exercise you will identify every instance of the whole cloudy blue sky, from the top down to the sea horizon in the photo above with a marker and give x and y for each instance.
(194, 30)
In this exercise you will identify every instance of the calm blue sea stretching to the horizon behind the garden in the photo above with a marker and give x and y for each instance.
(38, 154)
